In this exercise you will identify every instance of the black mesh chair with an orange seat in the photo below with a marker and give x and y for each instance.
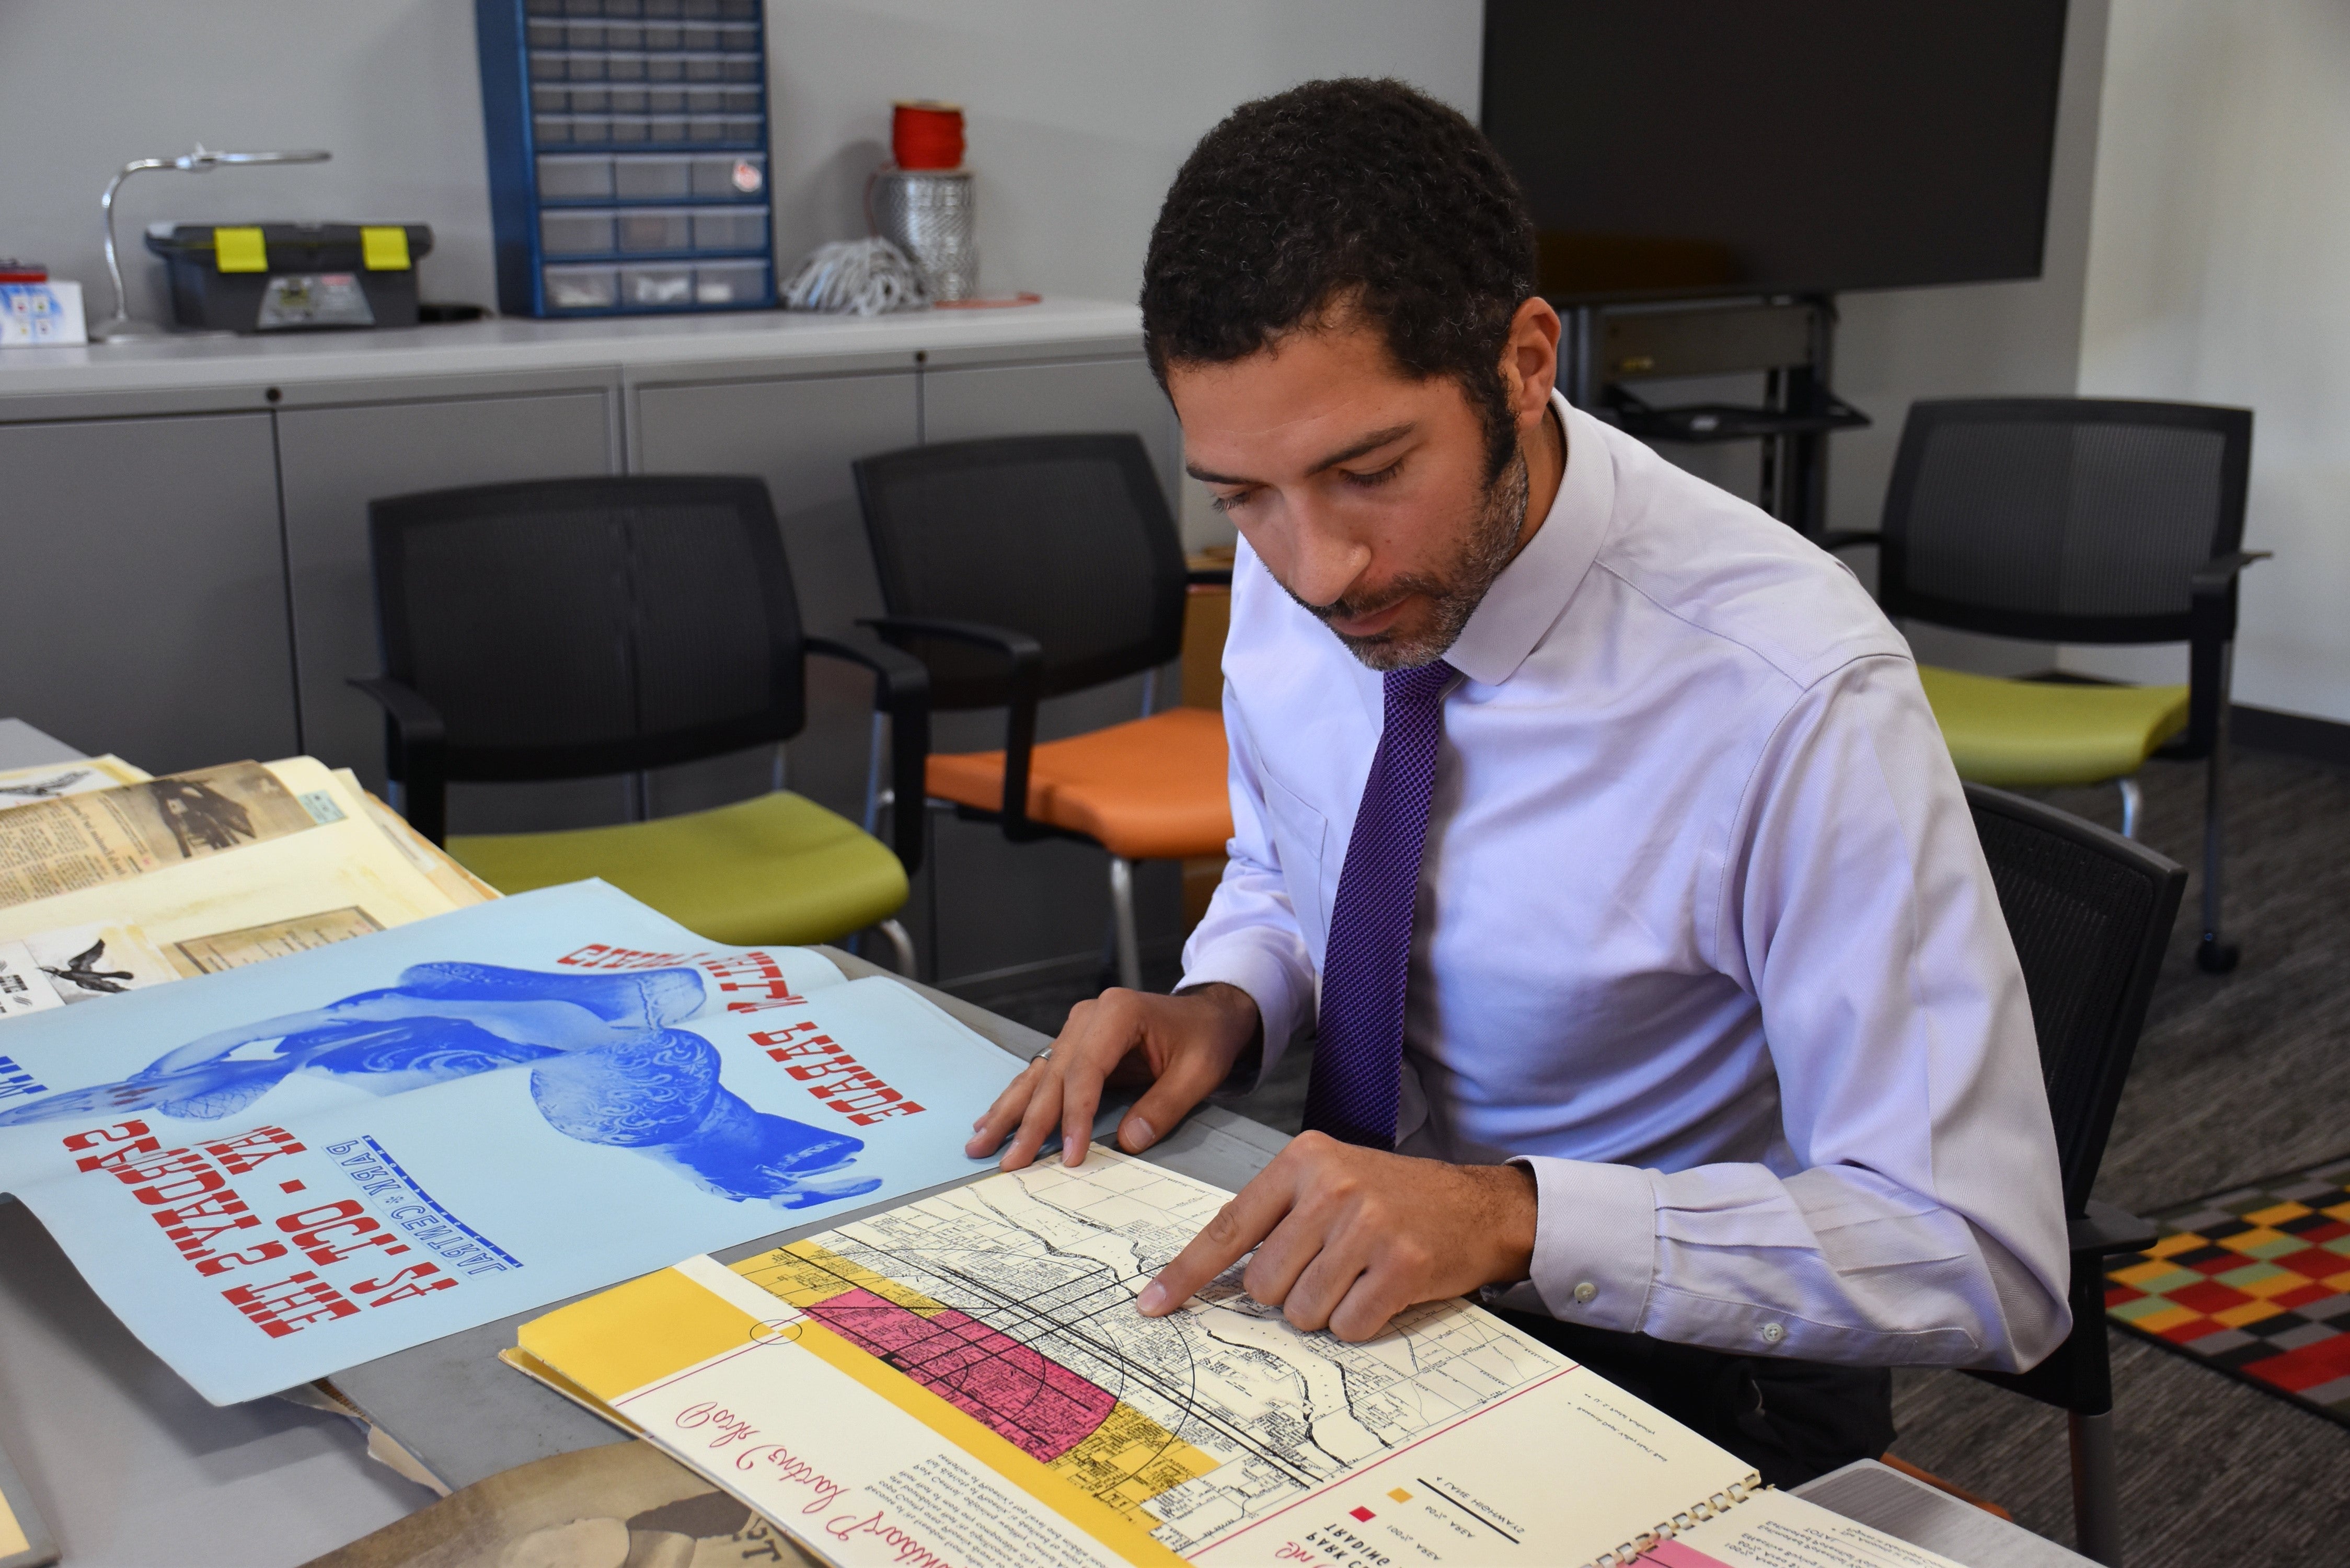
(1040, 565)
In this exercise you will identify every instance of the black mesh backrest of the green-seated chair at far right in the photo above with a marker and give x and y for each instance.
(2062, 518)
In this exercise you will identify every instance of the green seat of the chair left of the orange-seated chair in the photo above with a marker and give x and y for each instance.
(777, 869)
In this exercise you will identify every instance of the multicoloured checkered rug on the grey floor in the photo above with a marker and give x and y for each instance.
(2255, 1282)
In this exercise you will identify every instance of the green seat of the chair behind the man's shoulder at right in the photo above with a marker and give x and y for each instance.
(2022, 735)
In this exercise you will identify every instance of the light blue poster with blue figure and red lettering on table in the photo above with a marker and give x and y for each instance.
(288, 1170)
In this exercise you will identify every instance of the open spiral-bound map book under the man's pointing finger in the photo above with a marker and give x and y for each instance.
(967, 1381)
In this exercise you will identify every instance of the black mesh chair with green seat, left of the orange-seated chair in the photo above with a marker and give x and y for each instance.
(570, 629)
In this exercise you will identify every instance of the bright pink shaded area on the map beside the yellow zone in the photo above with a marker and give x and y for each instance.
(1033, 1402)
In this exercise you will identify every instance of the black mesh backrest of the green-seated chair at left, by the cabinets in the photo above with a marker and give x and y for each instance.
(591, 626)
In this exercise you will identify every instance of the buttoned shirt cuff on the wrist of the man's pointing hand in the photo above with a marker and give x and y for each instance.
(1594, 1242)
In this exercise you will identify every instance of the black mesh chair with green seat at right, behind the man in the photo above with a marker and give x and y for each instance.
(2076, 521)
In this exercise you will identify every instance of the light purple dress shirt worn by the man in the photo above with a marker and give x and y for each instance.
(1705, 934)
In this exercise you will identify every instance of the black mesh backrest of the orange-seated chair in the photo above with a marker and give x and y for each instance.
(1061, 537)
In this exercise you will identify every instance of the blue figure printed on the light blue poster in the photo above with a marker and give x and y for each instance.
(607, 1066)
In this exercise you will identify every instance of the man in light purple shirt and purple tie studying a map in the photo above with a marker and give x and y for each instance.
(1663, 989)
